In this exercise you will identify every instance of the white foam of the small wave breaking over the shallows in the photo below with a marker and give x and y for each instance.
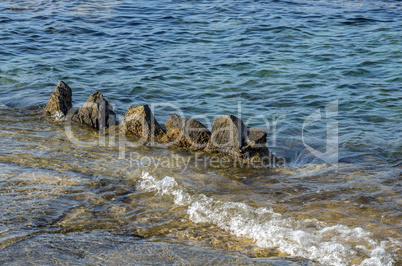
(308, 238)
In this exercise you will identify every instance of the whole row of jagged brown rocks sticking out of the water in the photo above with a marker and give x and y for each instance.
(229, 136)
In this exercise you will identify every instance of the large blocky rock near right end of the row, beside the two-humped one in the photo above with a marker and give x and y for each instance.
(228, 135)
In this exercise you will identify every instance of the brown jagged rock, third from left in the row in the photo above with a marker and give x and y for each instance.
(139, 121)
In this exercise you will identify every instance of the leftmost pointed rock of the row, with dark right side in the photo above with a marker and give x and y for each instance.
(60, 100)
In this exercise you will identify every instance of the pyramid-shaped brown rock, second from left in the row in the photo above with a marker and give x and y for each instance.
(96, 112)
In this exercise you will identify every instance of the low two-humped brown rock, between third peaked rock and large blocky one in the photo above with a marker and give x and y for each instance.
(187, 132)
